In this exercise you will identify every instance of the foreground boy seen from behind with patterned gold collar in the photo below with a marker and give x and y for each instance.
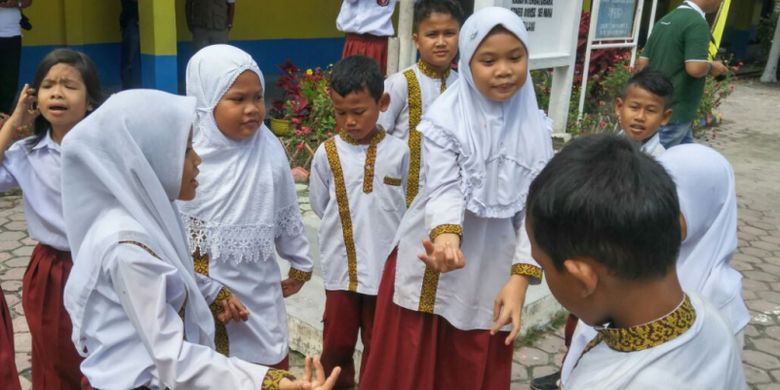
(604, 223)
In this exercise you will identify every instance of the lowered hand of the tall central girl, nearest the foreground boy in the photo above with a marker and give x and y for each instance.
(509, 306)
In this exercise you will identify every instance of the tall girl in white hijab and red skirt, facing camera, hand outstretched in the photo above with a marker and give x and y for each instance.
(484, 140)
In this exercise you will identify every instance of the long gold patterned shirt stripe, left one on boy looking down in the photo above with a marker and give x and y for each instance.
(343, 202)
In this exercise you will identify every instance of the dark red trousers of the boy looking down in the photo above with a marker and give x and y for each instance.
(346, 314)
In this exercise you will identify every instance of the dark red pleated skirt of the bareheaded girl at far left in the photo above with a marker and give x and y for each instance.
(55, 363)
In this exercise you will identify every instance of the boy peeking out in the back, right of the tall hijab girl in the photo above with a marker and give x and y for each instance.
(644, 106)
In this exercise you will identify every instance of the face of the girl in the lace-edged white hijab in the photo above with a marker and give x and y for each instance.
(241, 109)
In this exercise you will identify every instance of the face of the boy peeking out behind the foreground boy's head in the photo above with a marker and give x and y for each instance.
(641, 113)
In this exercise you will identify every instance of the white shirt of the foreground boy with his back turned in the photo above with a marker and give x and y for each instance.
(705, 356)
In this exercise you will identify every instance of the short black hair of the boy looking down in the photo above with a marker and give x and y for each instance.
(357, 73)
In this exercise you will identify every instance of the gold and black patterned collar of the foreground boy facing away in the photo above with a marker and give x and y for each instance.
(649, 335)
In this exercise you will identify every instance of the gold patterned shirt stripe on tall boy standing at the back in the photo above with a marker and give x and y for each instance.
(415, 115)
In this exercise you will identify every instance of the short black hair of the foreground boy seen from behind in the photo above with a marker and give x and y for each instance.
(601, 197)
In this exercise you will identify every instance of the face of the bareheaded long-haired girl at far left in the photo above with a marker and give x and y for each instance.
(62, 97)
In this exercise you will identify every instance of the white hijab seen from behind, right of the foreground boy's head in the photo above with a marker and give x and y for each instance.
(708, 201)
